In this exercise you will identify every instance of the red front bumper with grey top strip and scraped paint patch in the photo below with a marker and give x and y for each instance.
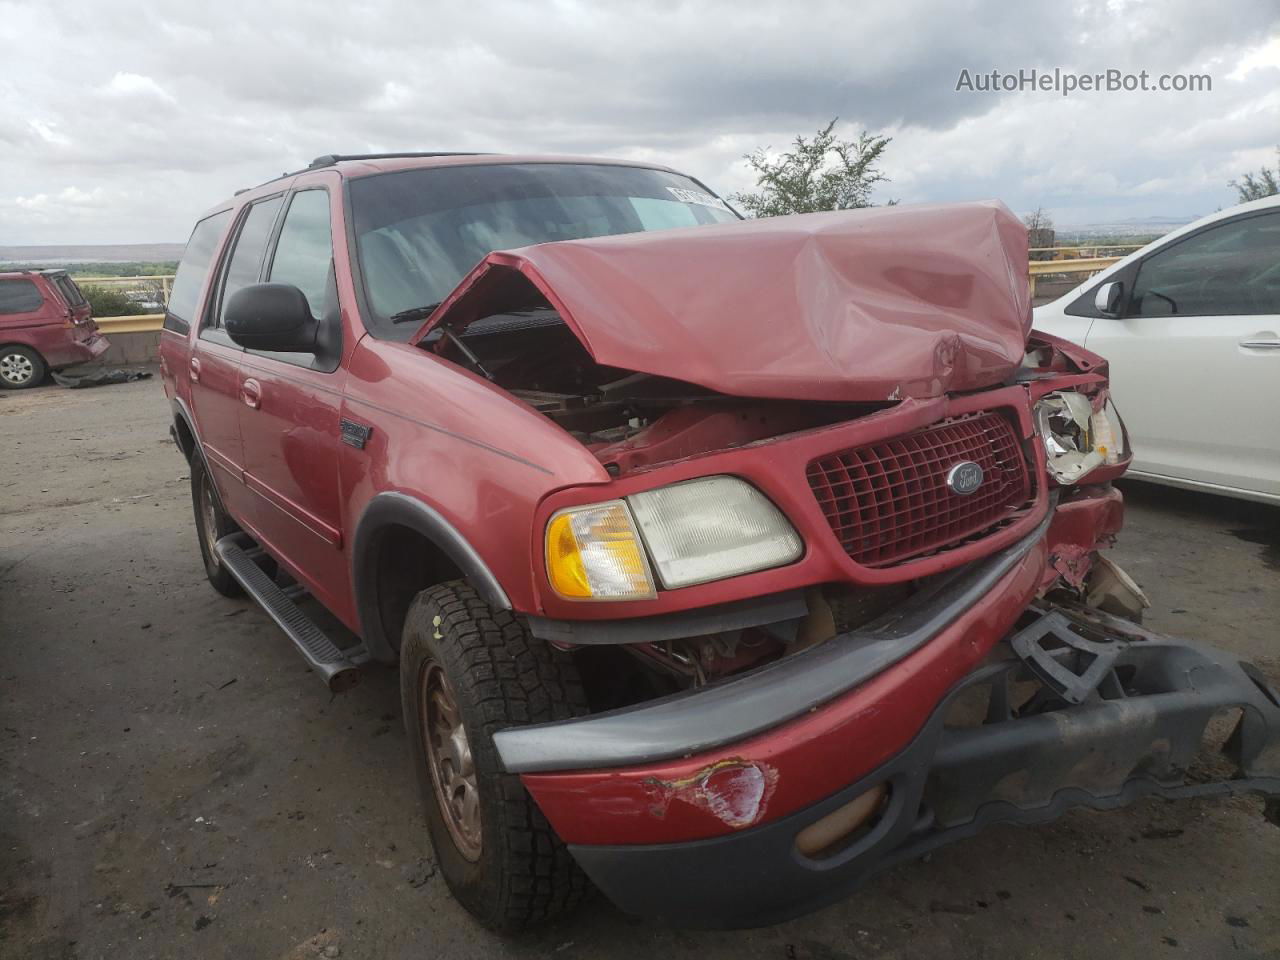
(760, 747)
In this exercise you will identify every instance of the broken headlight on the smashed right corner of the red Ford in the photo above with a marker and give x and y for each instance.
(1077, 437)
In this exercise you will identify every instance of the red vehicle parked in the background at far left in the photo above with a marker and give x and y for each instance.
(45, 324)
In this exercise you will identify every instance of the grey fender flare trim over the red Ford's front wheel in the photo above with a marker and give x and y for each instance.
(394, 509)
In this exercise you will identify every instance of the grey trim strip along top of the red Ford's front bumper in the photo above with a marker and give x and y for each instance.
(702, 720)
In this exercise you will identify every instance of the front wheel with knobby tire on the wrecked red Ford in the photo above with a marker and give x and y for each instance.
(467, 673)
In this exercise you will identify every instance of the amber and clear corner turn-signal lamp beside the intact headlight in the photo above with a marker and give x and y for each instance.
(595, 554)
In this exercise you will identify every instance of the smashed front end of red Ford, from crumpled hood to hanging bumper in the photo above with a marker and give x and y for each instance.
(839, 593)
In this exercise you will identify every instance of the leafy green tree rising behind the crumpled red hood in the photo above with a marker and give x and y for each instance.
(824, 173)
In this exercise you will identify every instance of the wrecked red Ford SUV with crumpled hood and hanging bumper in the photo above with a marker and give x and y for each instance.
(726, 564)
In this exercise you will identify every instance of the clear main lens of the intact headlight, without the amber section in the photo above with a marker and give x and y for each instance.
(711, 529)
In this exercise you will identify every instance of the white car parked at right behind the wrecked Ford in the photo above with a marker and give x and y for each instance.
(1191, 327)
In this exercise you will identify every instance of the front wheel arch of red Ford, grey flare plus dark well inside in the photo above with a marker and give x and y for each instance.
(427, 550)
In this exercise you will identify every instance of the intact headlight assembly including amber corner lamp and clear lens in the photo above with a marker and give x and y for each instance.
(693, 532)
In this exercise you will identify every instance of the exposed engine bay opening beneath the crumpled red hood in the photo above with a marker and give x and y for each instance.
(628, 420)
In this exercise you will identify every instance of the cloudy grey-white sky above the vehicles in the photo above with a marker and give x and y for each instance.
(120, 122)
